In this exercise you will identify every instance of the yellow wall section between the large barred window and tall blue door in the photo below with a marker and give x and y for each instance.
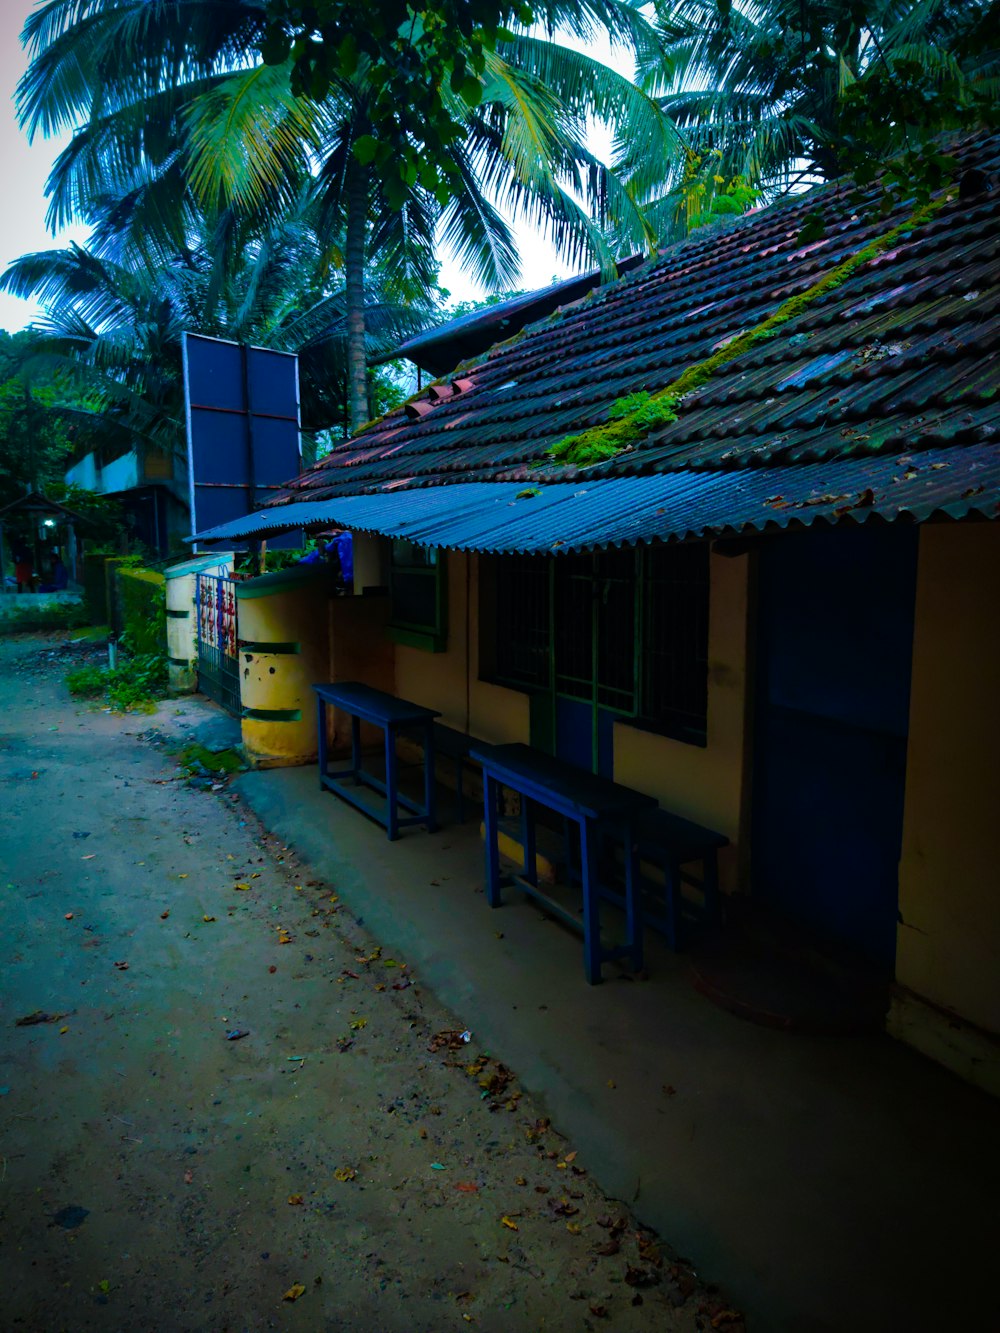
(705, 784)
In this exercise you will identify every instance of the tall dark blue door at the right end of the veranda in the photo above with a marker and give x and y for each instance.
(834, 662)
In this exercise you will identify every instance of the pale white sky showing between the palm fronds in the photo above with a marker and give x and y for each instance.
(26, 170)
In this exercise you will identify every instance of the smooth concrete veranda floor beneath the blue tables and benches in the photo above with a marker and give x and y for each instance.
(829, 1183)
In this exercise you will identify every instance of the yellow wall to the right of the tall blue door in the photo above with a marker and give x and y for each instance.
(949, 946)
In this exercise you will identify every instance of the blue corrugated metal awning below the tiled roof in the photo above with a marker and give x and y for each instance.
(507, 518)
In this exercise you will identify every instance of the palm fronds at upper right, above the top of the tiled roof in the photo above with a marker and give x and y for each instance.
(758, 86)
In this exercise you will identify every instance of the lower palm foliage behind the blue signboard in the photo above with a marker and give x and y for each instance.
(115, 326)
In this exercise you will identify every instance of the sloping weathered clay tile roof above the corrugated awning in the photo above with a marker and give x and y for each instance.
(899, 359)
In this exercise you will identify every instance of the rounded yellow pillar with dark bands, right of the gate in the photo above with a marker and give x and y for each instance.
(285, 649)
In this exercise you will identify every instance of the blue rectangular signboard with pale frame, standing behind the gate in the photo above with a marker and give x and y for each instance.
(243, 430)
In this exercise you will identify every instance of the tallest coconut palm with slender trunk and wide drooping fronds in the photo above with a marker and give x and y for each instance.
(182, 117)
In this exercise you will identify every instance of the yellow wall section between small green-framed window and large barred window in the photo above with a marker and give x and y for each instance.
(450, 682)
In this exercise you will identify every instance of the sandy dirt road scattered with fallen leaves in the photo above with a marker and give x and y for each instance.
(242, 1114)
